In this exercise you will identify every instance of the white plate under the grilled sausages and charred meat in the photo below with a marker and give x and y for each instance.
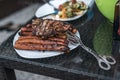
(39, 54)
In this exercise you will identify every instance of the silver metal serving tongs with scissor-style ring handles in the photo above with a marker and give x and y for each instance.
(104, 62)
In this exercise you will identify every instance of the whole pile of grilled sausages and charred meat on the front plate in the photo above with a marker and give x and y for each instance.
(44, 35)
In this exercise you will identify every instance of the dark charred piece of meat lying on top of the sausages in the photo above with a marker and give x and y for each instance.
(48, 28)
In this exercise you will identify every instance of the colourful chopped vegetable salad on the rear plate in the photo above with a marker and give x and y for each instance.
(71, 8)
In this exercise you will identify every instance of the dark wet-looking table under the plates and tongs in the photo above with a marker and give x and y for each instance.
(77, 65)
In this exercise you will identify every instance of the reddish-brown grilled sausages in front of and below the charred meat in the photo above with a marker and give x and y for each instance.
(36, 43)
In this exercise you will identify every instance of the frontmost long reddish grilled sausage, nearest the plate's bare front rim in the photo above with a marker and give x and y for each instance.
(41, 47)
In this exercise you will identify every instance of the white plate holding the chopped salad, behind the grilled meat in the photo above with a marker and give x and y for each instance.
(47, 9)
